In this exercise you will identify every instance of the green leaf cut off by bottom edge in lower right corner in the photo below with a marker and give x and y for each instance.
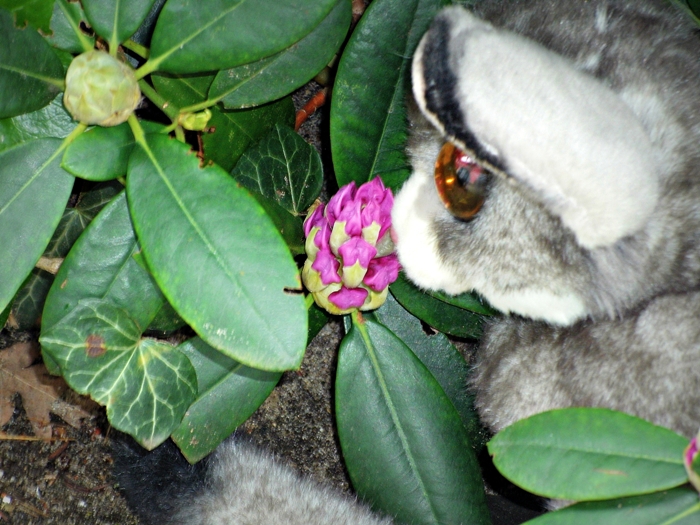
(678, 506)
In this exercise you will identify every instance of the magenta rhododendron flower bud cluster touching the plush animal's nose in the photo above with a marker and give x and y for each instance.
(349, 248)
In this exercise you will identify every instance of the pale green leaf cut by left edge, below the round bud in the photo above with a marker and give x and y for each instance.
(33, 194)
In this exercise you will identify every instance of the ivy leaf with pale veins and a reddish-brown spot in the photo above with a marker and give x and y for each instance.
(146, 385)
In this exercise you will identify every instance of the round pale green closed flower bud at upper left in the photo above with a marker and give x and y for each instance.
(100, 89)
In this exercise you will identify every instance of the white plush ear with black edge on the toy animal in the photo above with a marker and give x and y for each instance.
(530, 112)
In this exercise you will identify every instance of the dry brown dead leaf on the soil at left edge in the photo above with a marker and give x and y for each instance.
(41, 392)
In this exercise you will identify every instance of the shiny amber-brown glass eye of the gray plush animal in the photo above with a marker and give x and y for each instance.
(460, 181)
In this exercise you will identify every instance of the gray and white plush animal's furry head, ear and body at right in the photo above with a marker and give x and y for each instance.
(609, 320)
